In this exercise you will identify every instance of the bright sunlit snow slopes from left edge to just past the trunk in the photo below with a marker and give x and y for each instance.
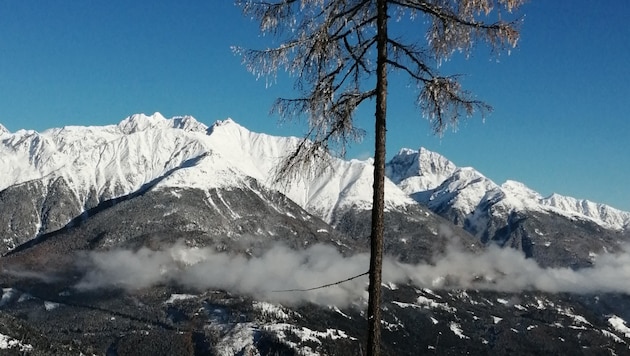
(115, 160)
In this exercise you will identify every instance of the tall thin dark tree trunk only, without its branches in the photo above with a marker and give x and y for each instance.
(378, 202)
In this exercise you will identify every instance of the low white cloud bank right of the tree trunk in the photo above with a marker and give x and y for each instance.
(506, 269)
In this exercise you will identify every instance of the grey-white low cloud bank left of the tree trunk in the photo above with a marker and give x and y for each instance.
(279, 268)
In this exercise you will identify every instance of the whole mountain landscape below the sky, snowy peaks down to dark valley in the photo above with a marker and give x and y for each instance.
(167, 237)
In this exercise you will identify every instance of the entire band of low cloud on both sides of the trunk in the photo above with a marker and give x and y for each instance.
(281, 268)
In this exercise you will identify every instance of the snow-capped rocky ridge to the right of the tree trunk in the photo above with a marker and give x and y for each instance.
(436, 182)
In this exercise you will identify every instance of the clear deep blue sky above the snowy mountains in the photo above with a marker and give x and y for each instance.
(560, 123)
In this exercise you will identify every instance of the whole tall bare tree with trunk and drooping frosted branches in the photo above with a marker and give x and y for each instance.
(341, 51)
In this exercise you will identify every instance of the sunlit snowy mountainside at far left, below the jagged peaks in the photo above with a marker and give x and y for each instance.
(110, 161)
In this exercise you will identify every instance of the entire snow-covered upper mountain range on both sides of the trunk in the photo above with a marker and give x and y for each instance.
(102, 162)
